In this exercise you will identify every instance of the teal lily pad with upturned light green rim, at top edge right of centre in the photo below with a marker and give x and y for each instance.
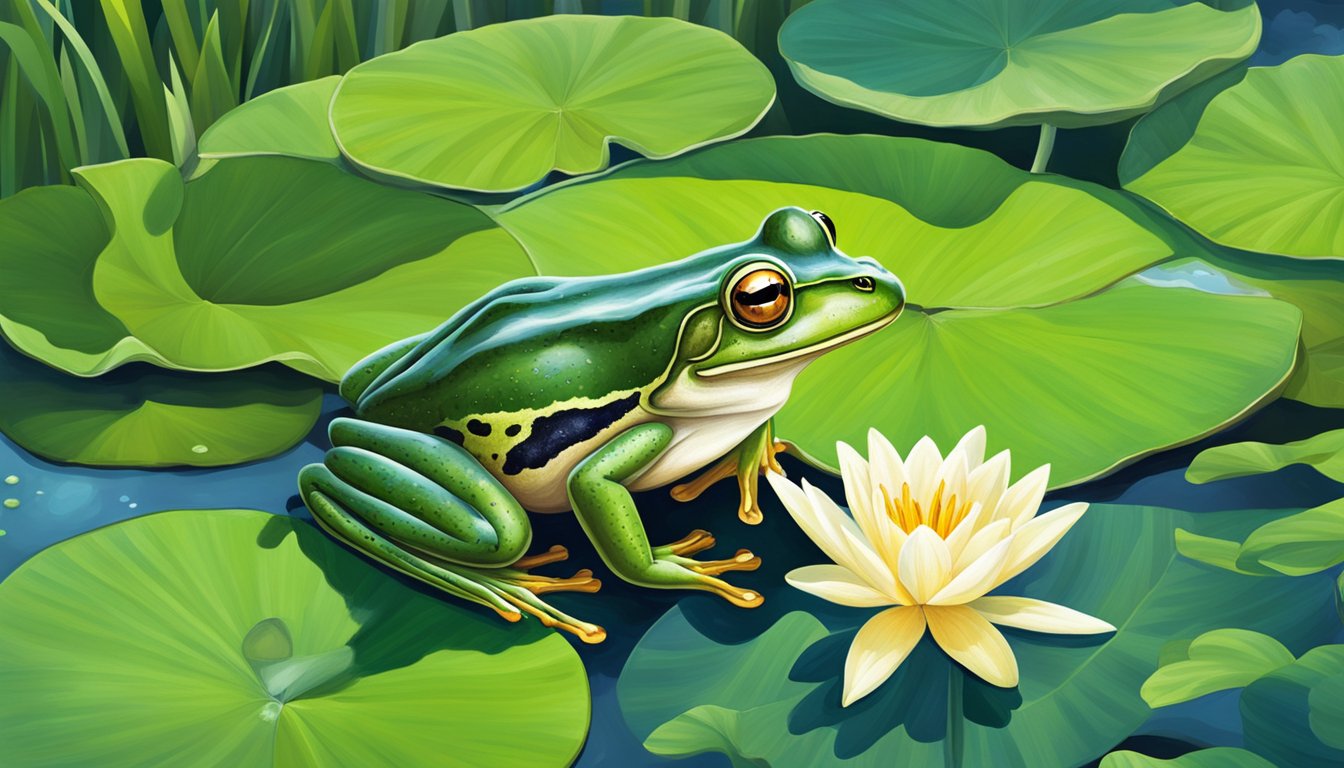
(1017, 63)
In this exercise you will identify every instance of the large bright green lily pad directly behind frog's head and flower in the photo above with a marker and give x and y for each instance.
(1010, 323)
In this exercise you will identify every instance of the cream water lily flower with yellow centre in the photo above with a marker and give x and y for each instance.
(929, 539)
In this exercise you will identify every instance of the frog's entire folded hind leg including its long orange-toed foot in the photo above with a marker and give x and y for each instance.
(427, 508)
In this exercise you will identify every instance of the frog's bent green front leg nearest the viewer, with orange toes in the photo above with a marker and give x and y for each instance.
(607, 512)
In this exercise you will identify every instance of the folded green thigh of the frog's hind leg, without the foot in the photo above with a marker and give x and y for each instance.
(421, 493)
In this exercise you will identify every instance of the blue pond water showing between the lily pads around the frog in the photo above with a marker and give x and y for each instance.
(57, 502)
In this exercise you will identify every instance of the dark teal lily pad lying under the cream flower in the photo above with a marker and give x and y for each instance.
(773, 700)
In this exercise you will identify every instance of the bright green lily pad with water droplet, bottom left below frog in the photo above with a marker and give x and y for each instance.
(240, 638)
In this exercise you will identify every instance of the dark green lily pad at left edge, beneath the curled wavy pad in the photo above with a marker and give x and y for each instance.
(149, 418)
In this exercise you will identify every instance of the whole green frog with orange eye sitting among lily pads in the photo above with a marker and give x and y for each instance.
(571, 395)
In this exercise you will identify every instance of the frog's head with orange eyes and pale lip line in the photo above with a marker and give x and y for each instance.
(790, 295)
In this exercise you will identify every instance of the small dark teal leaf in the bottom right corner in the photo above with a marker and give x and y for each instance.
(1277, 711)
